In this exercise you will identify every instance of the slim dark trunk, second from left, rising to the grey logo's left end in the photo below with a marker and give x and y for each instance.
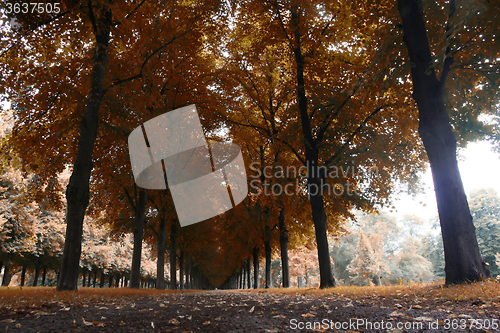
(140, 209)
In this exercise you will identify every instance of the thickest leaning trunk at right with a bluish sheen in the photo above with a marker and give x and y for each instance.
(463, 261)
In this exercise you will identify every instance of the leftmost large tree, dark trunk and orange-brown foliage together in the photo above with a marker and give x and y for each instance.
(56, 97)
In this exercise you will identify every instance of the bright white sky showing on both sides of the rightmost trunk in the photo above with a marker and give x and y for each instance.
(478, 165)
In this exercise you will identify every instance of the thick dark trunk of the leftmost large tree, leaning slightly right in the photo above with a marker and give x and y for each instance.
(77, 192)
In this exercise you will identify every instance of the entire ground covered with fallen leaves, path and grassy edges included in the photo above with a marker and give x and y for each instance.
(406, 308)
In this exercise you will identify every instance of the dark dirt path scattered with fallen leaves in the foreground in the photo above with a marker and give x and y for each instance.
(246, 311)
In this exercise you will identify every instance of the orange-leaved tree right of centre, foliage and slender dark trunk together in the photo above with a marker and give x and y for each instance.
(325, 116)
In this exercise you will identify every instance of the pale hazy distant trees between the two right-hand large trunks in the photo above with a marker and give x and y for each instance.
(381, 250)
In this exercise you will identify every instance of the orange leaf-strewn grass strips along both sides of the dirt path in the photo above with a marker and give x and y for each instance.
(34, 297)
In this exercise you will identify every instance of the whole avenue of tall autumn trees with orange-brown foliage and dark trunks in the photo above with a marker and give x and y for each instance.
(337, 102)
